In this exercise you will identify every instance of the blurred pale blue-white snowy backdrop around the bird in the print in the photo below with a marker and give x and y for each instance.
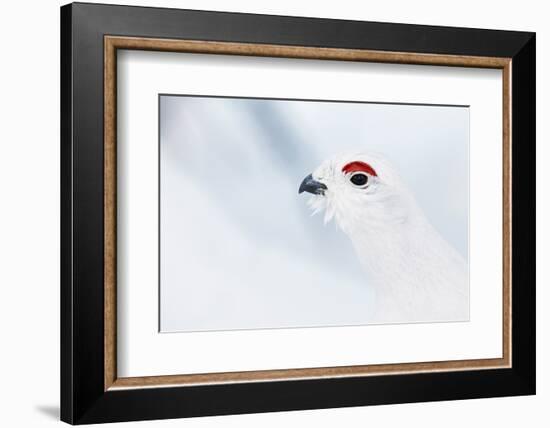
(239, 247)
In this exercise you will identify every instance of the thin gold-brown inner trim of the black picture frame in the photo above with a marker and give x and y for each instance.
(113, 43)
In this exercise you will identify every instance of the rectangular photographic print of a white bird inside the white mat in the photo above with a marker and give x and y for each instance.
(280, 213)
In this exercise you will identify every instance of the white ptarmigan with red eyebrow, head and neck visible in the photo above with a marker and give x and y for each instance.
(417, 275)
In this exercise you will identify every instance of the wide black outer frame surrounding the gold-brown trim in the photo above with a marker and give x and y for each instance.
(83, 396)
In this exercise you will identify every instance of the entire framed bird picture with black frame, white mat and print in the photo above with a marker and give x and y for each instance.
(265, 213)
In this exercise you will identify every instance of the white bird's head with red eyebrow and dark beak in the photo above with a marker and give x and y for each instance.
(358, 190)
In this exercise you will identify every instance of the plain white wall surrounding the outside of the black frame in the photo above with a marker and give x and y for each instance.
(29, 218)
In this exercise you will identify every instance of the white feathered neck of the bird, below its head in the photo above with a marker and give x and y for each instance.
(416, 275)
